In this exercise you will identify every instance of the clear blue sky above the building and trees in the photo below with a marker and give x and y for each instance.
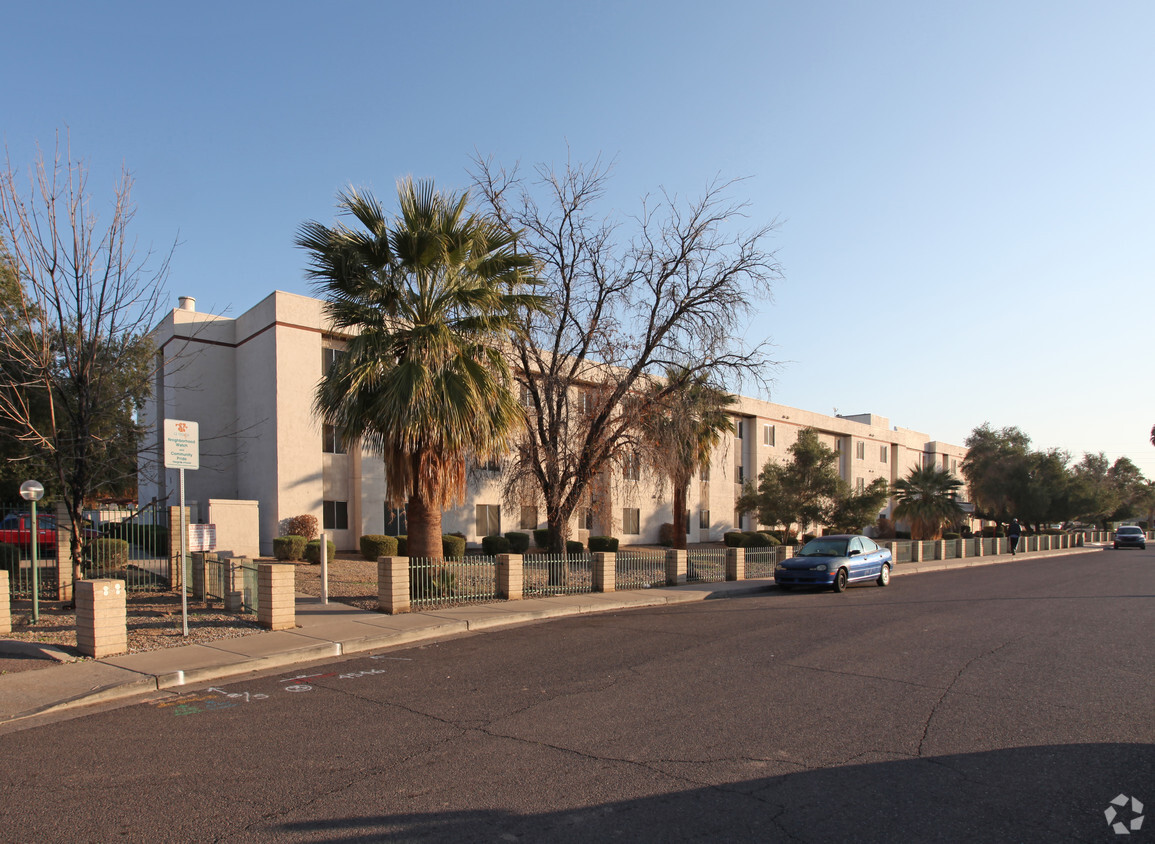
(966, 190)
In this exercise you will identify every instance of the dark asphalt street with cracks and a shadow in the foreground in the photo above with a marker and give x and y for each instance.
(998, 704)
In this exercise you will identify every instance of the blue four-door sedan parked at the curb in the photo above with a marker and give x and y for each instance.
(836, 562)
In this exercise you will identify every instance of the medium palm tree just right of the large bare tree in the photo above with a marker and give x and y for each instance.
(685, 423)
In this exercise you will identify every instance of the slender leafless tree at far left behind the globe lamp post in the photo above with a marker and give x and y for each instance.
(78, 358)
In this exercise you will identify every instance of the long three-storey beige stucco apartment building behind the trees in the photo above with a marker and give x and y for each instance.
(249, 383)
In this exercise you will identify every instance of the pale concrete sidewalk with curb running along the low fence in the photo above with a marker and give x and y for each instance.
(334, 631)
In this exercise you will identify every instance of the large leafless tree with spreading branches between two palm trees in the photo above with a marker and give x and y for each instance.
(674, 294)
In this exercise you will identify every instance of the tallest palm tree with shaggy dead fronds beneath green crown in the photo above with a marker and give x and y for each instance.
(428, 301)
